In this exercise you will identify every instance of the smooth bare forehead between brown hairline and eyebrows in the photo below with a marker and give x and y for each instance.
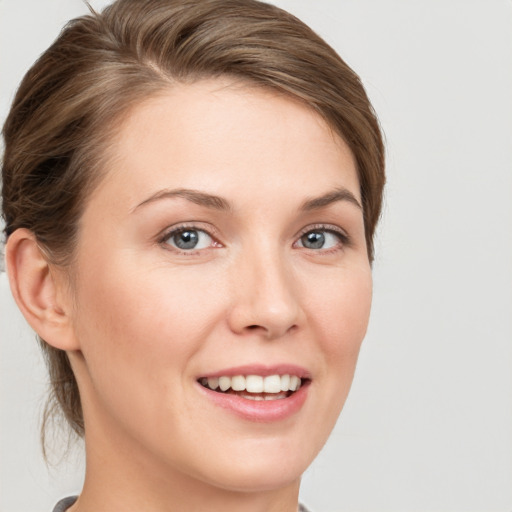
(227, 138)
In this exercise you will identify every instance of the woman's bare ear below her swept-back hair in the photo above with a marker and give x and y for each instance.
(39, 290)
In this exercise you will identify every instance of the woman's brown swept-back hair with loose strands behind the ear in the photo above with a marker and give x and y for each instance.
(70, 102)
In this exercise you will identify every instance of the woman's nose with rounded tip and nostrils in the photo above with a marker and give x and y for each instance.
(266, 299)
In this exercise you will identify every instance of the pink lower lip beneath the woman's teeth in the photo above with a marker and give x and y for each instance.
(262, 411)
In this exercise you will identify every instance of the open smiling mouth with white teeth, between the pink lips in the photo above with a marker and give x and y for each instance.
(255, 387)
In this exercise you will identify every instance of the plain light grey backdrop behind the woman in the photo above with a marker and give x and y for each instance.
(428, 424)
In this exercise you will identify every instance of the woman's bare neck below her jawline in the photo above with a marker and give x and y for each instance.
(119, 476)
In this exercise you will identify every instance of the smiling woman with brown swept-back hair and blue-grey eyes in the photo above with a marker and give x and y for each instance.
(190, 193)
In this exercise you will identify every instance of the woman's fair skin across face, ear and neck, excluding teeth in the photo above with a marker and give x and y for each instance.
(271, 276)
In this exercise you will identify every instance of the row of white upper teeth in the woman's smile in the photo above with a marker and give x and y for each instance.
(254, 383)
